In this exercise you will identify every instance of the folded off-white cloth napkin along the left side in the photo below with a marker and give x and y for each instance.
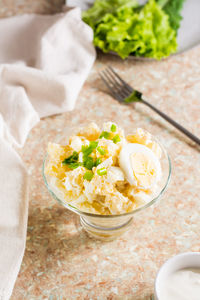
(44, 61)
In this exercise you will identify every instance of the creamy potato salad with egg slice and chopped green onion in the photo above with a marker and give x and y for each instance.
(102, 171)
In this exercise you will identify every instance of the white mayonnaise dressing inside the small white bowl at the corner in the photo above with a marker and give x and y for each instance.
(183, 284)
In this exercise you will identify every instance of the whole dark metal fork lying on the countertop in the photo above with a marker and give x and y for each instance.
(124, 93)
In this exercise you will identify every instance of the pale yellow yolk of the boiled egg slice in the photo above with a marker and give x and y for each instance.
(144, 170)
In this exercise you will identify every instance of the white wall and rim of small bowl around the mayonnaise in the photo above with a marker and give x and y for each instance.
(180, 261)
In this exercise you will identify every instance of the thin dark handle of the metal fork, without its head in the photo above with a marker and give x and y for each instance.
(175, 124)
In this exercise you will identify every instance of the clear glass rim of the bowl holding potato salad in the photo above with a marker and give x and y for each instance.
(87, 214)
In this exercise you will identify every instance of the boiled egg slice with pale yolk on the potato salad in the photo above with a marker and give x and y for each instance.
(140, 165)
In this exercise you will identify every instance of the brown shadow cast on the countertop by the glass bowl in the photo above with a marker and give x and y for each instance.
(54, 233)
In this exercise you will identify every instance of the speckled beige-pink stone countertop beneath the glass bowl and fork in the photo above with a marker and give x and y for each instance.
(61, 261)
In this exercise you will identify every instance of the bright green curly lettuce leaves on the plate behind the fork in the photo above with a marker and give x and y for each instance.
(126, 28)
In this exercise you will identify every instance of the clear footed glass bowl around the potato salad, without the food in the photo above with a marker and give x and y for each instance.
(109, 227)
